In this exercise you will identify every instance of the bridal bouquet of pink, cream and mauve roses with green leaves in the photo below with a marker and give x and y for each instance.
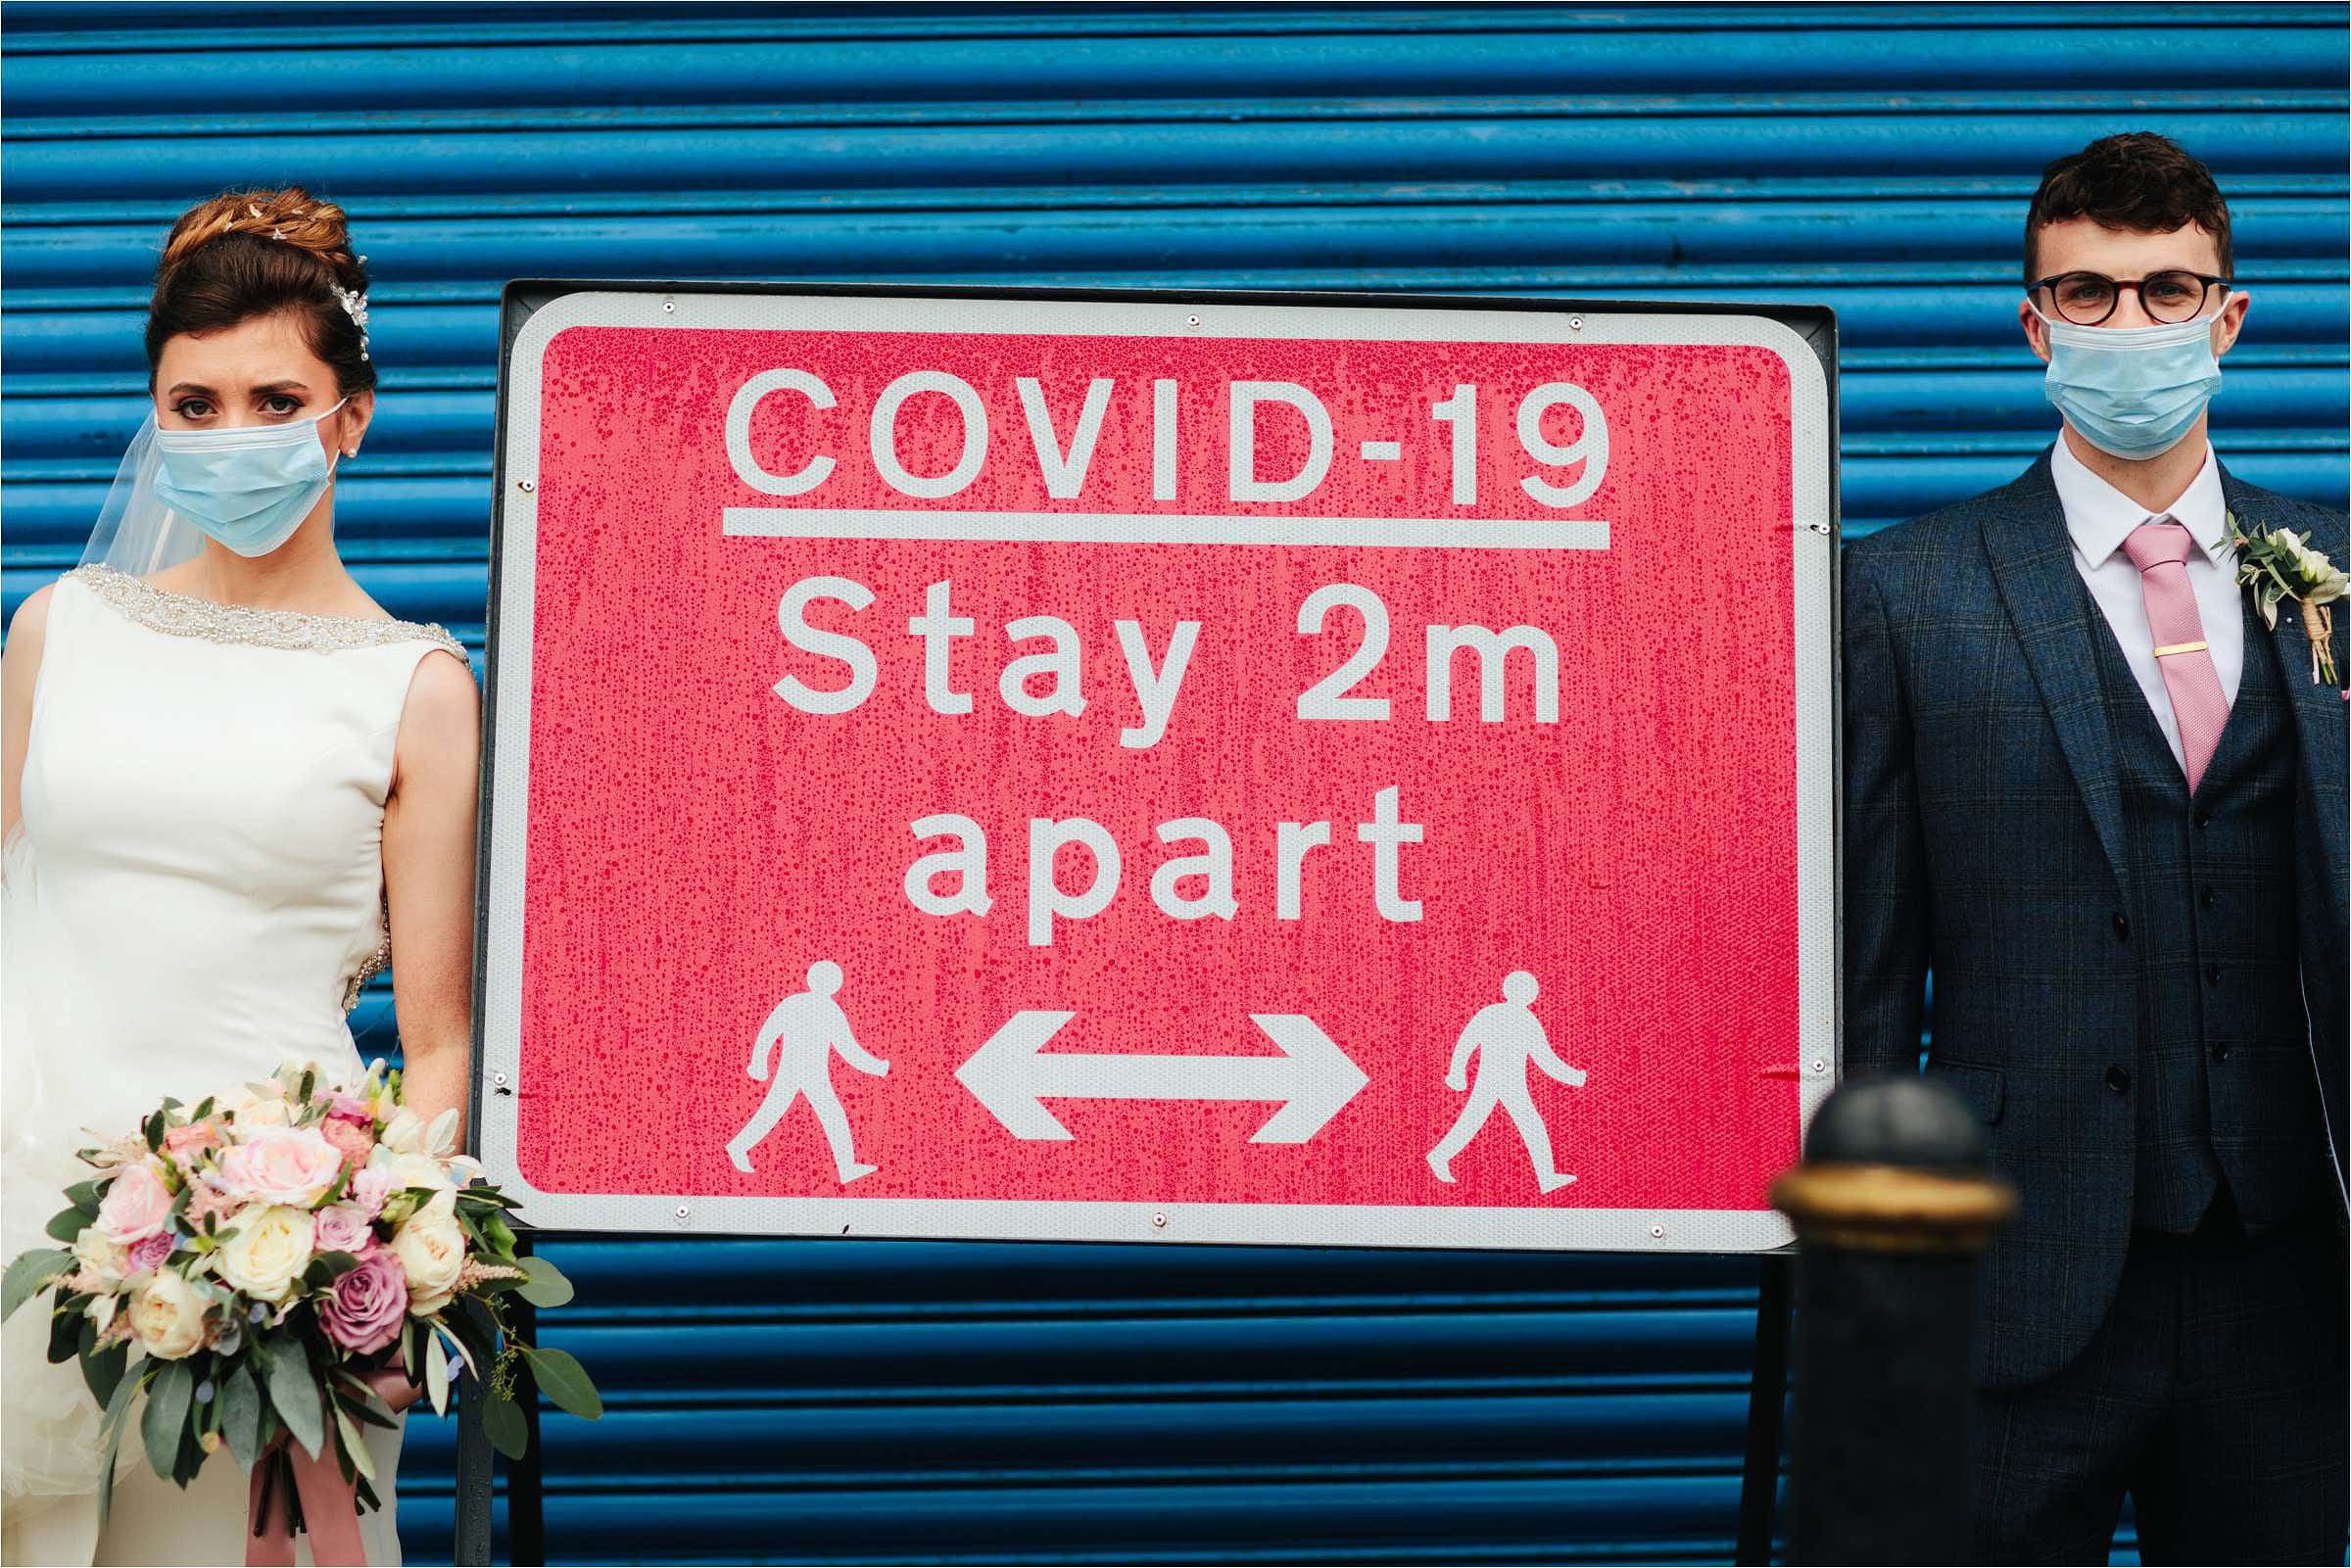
(267, 1254)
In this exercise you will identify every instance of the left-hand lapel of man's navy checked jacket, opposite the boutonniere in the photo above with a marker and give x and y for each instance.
(2032, 561)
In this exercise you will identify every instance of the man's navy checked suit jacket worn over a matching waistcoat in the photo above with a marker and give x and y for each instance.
(1985, 843)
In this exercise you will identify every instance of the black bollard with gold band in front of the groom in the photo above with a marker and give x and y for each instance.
(1891, 1207)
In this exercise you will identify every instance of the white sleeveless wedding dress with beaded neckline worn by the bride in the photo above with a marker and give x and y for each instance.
(194, 899)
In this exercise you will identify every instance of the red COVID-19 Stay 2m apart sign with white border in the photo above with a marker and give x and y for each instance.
(1113, 770)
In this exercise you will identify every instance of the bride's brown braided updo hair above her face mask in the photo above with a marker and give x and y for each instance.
(264, 253)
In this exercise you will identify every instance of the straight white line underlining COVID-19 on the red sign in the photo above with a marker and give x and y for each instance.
(1167, 530)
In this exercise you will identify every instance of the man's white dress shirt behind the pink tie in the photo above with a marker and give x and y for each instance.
(2101, 518)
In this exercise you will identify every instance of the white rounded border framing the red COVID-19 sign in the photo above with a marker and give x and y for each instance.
(1706, 1231)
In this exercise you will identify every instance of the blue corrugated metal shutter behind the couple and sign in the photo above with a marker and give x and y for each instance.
(878, 1402)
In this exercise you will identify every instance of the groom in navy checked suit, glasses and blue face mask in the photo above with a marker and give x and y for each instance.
(2103, 803)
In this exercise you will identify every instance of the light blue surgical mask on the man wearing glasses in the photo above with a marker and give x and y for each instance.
(2134, 391)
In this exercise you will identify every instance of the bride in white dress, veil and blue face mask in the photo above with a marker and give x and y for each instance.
(234, 791)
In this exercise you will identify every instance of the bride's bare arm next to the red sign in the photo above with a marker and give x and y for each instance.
(429, 871)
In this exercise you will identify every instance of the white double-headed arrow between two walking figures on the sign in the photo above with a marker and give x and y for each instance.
(1012, 1076)
